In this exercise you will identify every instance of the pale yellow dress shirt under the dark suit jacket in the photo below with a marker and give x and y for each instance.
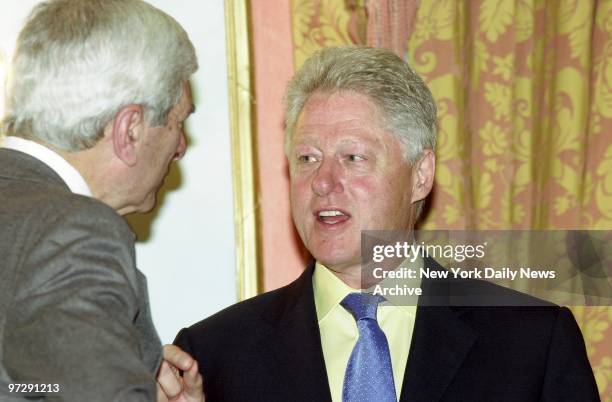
(339, 331)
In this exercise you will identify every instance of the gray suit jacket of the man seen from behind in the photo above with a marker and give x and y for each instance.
(73, 307)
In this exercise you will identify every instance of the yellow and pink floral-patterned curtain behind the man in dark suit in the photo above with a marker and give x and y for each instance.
(524, 91)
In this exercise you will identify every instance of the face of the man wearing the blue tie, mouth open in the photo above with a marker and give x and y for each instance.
(347, 175)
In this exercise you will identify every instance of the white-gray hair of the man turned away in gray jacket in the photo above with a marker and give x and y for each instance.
(78, 62)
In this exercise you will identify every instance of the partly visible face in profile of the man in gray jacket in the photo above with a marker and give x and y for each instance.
(162, 145)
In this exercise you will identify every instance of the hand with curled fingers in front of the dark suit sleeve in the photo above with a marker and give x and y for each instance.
(171, 387)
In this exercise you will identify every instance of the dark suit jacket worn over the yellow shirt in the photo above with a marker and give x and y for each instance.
(268, 348)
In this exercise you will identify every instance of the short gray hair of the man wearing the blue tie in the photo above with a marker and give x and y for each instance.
(407, 106)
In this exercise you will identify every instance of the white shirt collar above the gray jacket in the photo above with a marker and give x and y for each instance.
(73, 179)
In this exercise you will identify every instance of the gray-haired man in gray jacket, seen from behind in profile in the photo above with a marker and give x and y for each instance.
(97, 96)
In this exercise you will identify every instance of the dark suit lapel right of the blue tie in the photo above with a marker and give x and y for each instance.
(440, 343)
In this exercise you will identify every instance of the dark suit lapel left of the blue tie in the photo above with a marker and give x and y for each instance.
(295, 343)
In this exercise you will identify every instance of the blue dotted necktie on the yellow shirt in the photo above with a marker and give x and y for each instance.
(368, 376)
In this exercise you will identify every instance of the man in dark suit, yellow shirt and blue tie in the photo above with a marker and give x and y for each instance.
(360, 135)
